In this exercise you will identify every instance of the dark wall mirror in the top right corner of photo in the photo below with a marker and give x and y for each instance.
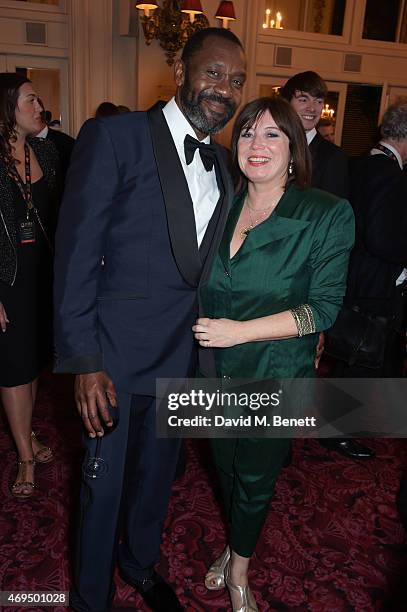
(385, 20)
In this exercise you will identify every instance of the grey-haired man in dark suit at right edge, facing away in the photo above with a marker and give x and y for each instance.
(377, 278)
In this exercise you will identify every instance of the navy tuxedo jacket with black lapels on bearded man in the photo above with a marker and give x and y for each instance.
(127, 264)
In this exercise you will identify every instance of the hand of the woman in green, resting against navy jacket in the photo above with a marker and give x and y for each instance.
(218, 333)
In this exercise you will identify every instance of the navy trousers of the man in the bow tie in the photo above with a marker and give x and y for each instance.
(121, 515)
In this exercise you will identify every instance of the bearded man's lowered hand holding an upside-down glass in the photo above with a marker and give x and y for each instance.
(93, 393)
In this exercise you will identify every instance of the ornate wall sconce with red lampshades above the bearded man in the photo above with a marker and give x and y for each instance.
(176, 21)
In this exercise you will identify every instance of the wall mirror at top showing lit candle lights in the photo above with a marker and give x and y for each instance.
(317, 16)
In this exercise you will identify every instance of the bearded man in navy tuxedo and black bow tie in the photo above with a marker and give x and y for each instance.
(146, 200)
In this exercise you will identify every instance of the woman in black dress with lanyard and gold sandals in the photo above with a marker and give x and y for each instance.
(27, 187)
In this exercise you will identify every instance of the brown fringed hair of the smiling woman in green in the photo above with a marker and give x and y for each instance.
(290, 124)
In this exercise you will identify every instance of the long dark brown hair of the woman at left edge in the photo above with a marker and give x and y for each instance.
(10, 83)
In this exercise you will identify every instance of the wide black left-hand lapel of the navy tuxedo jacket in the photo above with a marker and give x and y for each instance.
(178, 203)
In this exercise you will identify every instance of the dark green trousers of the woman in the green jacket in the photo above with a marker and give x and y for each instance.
(248, 469)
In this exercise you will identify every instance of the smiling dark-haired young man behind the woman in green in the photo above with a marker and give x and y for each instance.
(306, 92)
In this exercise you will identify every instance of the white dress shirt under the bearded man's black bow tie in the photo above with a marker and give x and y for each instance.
(202, 185)
